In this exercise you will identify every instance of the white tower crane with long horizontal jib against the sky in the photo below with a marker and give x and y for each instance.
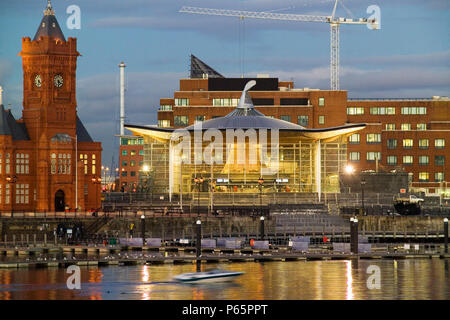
(332, 20)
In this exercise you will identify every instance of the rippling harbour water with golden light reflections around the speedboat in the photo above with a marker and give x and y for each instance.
(311, 280)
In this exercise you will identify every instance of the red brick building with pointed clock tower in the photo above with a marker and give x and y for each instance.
(43, 153)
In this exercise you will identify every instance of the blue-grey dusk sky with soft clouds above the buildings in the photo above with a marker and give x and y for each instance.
(408, 57)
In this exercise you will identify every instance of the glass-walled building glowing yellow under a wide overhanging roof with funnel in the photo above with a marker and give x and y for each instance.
(296, 159)
